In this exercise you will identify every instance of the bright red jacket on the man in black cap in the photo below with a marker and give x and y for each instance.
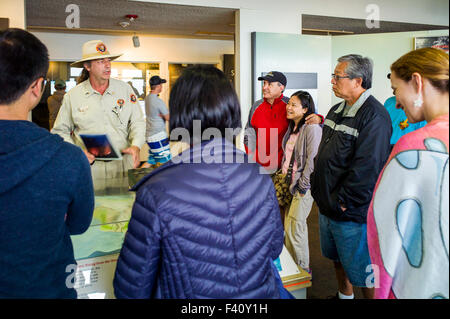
(265, 118)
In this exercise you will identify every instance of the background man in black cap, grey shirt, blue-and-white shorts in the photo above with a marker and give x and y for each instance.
(157, 114)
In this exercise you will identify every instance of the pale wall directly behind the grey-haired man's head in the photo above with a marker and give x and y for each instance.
(383, 49)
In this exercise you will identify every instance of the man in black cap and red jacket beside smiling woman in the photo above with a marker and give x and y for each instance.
(268, 114)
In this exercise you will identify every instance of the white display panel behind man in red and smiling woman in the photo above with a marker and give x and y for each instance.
(304, 59)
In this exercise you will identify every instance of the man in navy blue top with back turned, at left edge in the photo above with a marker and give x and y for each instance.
(46, 191)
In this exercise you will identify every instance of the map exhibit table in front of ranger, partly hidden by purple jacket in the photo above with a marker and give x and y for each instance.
(97, 250)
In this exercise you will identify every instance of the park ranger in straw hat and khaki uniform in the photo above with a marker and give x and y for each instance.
(102, 105)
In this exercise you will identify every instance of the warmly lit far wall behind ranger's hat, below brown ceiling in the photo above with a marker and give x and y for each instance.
(67, 47)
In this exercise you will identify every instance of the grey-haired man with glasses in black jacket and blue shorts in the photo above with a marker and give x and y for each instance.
(352, 152)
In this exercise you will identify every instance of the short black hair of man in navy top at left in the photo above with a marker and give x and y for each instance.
(23, 59)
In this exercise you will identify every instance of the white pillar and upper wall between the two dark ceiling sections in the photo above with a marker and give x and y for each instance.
(284, 16)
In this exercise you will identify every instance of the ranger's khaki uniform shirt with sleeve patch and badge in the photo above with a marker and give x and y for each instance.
(116, 113)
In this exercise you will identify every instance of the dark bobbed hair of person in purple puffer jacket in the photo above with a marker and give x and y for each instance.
(204, 93)
